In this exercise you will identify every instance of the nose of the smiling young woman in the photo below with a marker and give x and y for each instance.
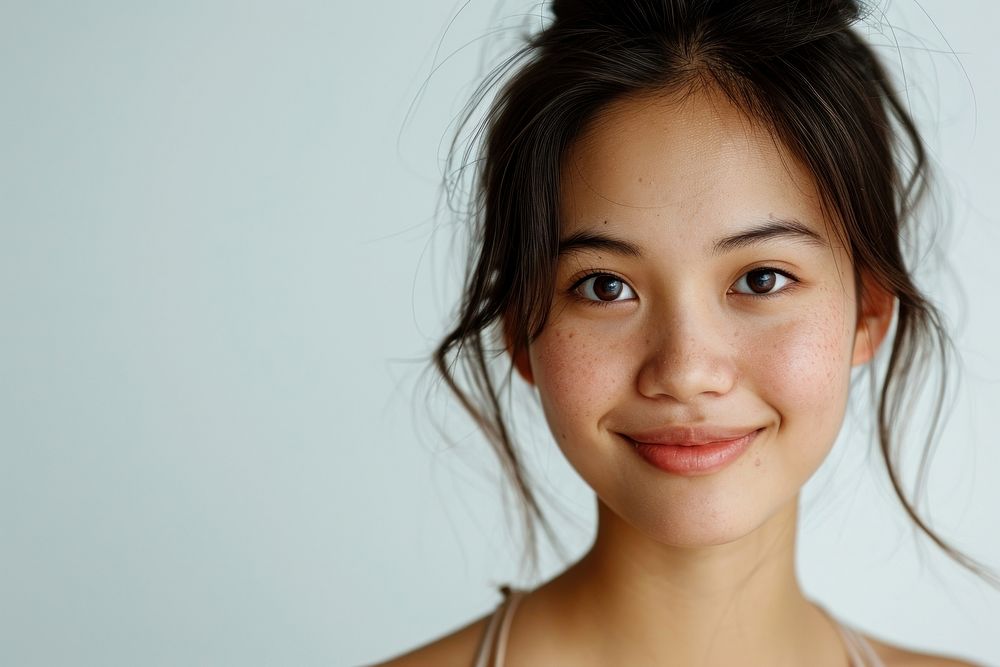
(687, 355)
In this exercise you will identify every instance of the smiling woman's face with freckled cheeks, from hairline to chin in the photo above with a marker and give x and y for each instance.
(695, 365)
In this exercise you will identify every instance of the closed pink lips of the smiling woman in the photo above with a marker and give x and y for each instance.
(691, 451)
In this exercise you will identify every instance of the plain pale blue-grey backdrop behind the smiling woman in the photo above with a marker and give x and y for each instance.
(223, 262)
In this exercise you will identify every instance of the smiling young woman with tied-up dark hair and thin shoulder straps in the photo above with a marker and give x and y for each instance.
(691, 224)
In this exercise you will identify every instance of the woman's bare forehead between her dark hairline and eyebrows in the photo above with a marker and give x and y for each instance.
(693, 162)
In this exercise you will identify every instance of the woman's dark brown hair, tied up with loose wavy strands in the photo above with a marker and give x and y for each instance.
(798, 67)
